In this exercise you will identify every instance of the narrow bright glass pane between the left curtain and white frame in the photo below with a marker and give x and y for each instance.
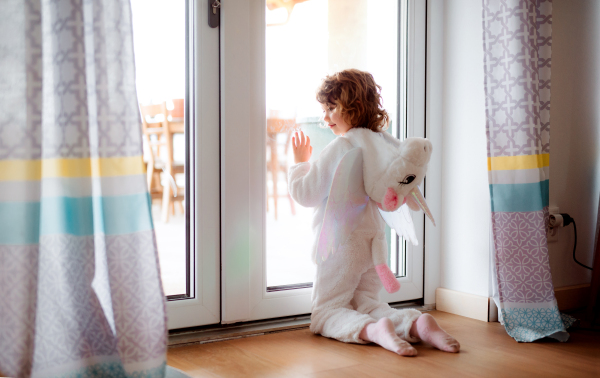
(159, 45)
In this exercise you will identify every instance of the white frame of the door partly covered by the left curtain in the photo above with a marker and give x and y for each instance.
(204, 307)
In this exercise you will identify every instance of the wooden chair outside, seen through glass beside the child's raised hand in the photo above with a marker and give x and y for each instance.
(276, 163)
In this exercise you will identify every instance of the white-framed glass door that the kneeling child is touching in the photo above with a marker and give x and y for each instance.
(273, 56)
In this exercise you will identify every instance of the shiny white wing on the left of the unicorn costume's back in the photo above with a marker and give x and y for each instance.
(345, 204)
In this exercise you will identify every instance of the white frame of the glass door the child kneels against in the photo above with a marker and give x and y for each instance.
(243, 168)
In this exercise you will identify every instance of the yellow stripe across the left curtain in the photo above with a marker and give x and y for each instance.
(27, 170)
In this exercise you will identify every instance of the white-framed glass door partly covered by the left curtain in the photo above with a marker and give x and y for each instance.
(176, 55)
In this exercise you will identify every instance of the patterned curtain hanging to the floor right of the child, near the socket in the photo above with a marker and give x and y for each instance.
(517, 43)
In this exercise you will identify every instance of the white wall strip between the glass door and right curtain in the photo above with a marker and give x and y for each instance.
(465, 214)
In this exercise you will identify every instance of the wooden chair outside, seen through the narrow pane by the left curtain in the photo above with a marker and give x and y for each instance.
(158, 136)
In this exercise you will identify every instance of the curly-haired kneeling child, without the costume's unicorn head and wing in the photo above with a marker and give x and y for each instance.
(345, 301)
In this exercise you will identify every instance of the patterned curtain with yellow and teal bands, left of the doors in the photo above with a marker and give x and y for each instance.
(80, 291)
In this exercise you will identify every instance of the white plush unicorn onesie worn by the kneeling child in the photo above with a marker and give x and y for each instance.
(359, 180)
